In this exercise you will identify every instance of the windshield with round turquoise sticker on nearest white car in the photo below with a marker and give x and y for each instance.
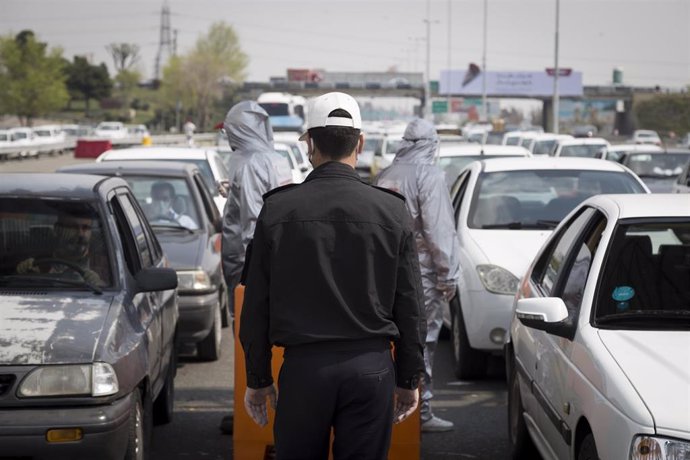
(644, 282)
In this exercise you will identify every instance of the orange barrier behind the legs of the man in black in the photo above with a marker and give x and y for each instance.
(252, 442)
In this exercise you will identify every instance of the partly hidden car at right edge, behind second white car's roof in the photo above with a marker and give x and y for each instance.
(658, 170)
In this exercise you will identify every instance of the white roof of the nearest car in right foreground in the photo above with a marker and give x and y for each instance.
(645, 205)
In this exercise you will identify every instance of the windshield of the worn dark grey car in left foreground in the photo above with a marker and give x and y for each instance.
(50, 243)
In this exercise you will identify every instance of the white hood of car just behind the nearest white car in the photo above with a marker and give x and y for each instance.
(510, 249)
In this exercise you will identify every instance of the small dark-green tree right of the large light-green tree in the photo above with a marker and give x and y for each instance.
(87, 81)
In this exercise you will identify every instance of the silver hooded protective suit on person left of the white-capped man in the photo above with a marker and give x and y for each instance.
(252, 174)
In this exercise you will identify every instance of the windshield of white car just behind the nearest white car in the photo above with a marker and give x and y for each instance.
(539, 198)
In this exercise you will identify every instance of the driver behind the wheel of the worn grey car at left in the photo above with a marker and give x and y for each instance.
(70, 255)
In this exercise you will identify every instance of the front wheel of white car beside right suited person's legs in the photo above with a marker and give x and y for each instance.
(468, 363)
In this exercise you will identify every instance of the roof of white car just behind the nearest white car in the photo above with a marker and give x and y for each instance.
(563, 163)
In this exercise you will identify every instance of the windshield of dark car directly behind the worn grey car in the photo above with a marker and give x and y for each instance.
(166, 201)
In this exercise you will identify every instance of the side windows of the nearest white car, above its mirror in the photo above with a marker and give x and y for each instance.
(553, 263)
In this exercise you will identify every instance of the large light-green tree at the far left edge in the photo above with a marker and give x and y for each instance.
(32, 82)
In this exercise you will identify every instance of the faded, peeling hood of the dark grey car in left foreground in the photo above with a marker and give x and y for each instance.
(39, 329)
